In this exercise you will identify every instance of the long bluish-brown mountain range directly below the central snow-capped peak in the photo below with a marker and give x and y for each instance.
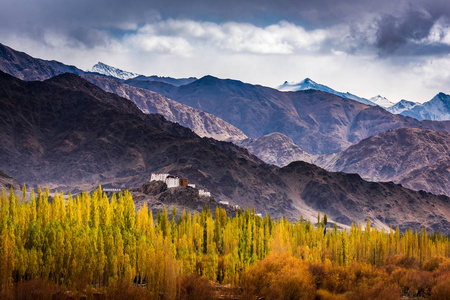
(316, 121)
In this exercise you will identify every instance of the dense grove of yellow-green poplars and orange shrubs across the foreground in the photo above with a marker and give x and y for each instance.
(90, 240)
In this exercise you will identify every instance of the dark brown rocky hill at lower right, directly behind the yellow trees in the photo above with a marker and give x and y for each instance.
(384, 203)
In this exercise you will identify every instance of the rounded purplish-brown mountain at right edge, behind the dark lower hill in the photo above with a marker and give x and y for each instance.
(418, 159)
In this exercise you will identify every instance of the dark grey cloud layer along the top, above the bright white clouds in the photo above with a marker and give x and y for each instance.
(397, 26)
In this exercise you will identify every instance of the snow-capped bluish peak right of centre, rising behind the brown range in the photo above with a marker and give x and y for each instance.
(308, 84)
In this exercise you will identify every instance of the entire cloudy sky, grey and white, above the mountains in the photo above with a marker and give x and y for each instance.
(399, 49)
